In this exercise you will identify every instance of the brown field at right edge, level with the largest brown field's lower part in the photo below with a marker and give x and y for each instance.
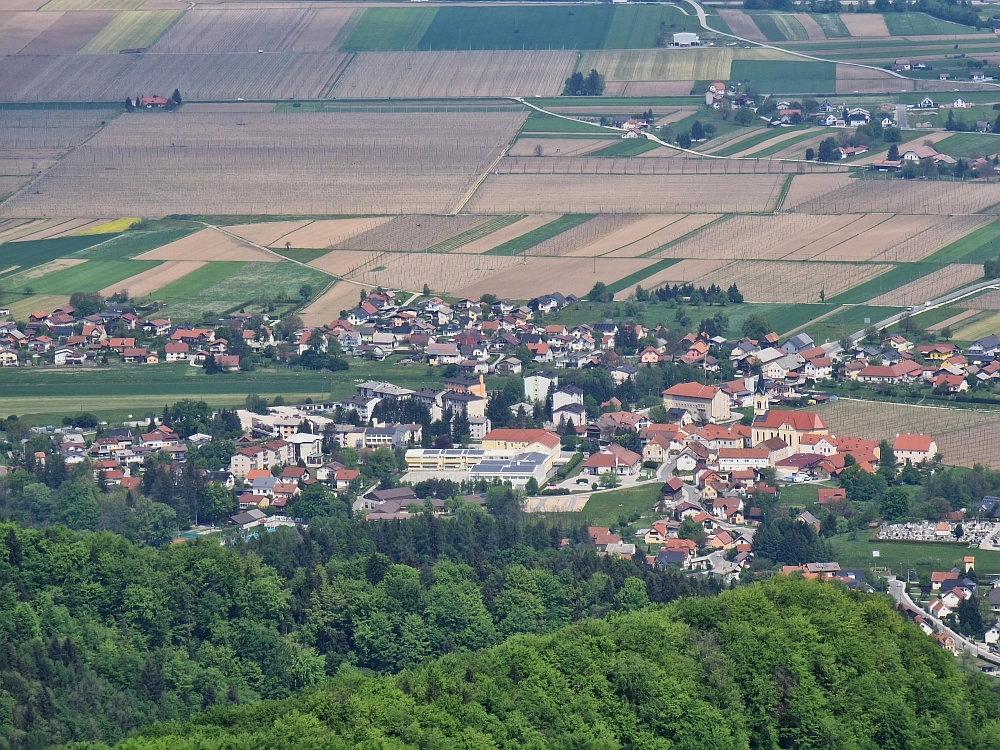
(904, 197)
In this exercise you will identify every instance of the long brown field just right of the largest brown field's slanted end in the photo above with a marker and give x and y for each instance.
(566, 193)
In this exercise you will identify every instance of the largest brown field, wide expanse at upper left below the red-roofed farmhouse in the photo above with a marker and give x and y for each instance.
(268, 164)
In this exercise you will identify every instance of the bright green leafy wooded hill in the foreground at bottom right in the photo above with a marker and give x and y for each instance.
(788, 663)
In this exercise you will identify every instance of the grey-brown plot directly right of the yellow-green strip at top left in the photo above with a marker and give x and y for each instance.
(234, 30)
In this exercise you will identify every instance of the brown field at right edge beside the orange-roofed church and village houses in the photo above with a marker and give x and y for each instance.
(964, 436)
